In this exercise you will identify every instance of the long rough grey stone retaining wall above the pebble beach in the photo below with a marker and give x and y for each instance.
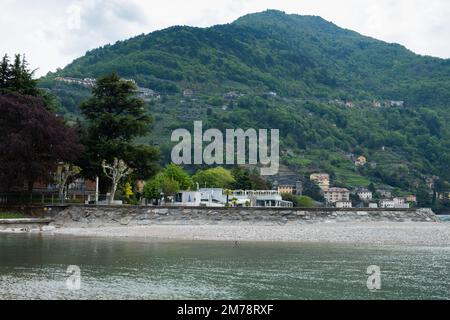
(135, 216)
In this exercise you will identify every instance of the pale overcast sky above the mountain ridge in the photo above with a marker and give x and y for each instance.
(54, 32)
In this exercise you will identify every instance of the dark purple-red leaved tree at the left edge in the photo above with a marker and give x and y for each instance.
(32, 142)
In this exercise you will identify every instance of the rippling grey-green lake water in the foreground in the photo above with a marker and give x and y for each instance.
(34, 267)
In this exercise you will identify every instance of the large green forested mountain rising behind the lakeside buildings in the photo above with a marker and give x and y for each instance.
(333, 93)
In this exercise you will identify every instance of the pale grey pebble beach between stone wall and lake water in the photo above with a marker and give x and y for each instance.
(361, 233)
